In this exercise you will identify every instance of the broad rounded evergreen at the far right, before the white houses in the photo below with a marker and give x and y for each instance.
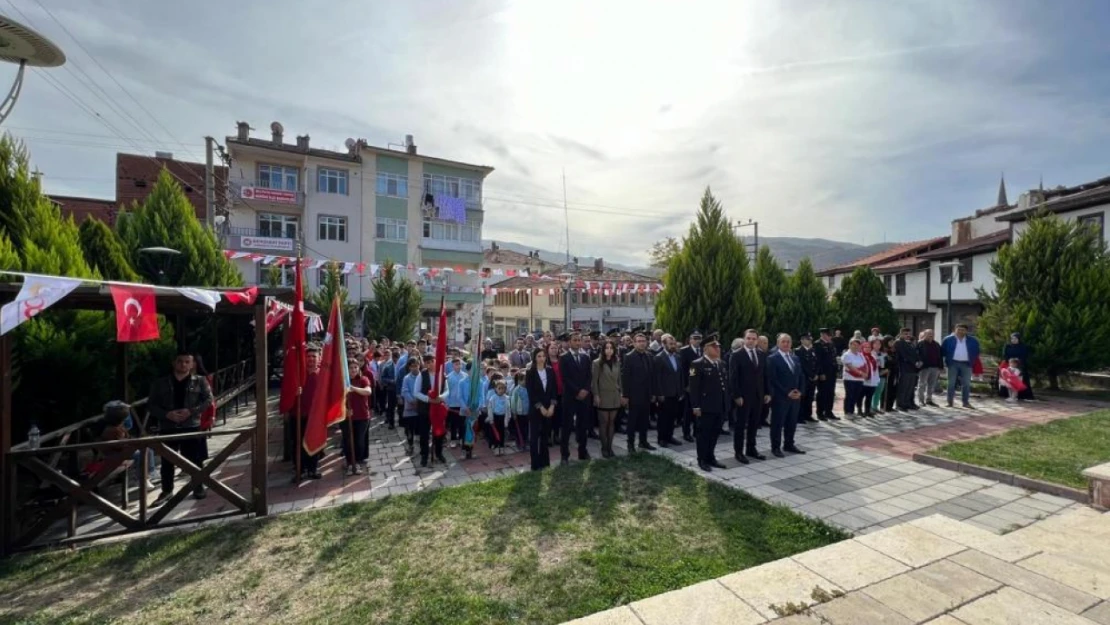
(1054, 289)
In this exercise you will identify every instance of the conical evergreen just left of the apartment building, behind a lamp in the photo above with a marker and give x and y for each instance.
(166, 219)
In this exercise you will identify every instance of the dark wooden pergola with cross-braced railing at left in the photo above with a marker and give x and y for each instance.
(48, 463)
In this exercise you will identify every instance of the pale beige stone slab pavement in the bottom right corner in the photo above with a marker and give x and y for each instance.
(933, 570)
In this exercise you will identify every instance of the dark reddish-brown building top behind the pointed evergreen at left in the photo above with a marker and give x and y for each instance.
(136, 176)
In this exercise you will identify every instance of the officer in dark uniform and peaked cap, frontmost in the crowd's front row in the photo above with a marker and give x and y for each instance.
(709, 397)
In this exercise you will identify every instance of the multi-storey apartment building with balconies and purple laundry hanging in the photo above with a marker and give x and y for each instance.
(361, 207)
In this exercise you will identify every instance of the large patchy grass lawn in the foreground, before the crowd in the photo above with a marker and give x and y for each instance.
(538, 548)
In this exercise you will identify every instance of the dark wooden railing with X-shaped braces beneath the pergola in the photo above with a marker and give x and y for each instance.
(49, 483)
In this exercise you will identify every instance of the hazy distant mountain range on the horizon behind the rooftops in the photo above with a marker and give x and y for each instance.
(788, 250)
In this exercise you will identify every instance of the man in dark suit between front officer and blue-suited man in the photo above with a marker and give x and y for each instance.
(750, 395)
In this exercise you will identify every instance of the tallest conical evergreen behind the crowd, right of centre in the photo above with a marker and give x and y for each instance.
(709, 286)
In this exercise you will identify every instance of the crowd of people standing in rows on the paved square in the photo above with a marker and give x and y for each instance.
(548, 390)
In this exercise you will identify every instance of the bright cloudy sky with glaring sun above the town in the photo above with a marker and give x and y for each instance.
(856, 120)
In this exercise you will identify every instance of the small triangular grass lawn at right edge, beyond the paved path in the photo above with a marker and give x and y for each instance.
(1056, 452)
